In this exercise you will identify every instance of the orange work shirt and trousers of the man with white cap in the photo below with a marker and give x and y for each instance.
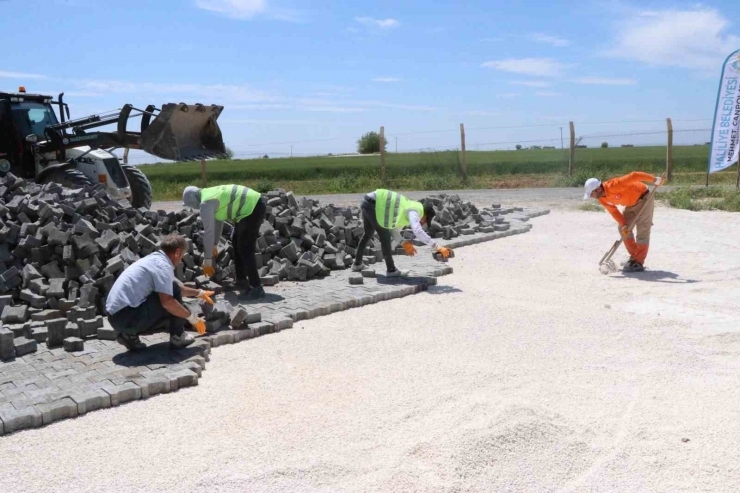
(628, 191)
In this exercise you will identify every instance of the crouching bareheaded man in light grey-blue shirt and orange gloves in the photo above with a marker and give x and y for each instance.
(147, 294)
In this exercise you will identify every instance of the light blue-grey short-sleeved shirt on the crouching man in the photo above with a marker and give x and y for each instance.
(152, 274)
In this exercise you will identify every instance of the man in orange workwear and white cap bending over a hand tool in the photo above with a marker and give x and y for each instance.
(630, 192)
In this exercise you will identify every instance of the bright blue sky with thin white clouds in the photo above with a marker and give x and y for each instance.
(318, 74)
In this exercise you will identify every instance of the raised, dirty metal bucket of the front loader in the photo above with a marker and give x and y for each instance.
(182, 132)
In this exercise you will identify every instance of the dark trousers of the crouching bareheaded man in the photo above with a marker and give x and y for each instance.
(149, 315)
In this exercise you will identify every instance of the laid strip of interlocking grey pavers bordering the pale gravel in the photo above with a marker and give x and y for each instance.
(82, 376)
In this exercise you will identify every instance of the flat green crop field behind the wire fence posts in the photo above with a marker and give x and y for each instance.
(434, 170)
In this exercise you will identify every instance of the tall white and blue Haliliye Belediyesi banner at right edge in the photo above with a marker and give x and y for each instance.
(725, 146)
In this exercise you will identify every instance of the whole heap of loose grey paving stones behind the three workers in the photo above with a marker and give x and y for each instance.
(62, 249)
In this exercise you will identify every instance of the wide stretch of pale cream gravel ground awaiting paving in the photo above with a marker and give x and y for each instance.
(525, 371)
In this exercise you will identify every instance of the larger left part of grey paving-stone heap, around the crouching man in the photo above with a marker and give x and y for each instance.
(62, 249)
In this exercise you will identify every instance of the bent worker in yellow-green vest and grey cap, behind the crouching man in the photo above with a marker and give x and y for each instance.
(246, 209)
